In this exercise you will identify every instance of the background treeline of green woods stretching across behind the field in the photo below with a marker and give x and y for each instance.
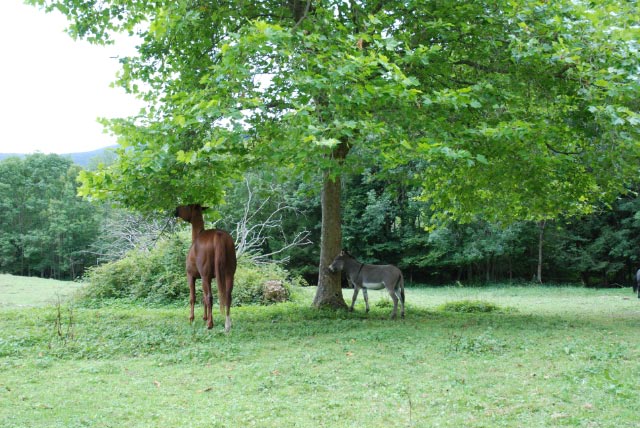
(47, 231)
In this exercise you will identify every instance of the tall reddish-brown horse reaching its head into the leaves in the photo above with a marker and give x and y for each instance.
(212, 255)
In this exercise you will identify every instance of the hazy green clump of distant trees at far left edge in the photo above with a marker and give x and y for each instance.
(45, 227)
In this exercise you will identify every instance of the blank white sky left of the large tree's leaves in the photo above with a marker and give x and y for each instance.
(52, 88)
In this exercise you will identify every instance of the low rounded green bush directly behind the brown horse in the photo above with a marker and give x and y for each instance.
(158, 276)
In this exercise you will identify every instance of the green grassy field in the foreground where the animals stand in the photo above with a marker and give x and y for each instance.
(549, 357)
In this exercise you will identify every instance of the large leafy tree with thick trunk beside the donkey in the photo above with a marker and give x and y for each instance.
(516, 109)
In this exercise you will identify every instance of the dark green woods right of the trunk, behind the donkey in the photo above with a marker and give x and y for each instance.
(596, 249)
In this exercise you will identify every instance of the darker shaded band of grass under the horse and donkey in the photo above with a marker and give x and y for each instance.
(133, 331)
